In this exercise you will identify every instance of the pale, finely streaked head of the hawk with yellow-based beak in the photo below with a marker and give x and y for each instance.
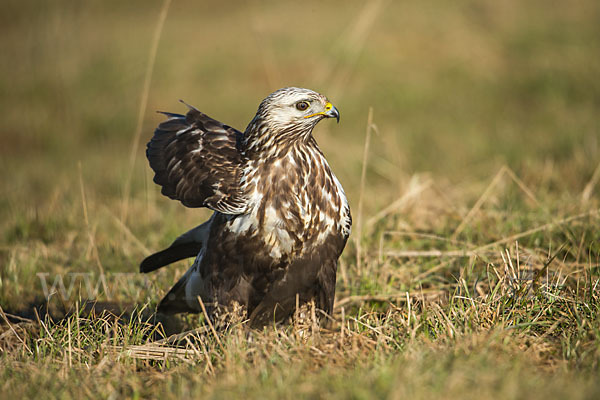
(289, 115)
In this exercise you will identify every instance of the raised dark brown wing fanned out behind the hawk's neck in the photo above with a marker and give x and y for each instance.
(197, 160)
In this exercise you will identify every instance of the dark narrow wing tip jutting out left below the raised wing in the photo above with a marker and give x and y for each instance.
(185, 246)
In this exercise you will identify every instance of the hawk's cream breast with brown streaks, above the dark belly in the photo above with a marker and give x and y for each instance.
(296, 203)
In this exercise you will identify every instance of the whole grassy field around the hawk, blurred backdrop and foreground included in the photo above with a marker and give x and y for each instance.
(475, 271)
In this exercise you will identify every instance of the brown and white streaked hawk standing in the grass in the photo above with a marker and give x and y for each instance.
(281, 218)
